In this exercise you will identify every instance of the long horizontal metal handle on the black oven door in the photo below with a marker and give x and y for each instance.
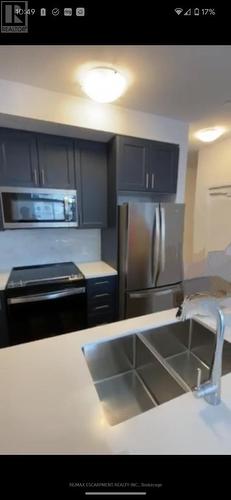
(38, 297)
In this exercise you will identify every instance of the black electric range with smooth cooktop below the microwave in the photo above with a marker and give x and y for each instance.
(45, 300)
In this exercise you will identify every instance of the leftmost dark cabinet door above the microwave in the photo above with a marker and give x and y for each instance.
(18, 158)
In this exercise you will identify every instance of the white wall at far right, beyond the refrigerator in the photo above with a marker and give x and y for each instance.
(212, 217)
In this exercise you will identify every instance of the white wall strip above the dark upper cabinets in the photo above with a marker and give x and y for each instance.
(20, 100)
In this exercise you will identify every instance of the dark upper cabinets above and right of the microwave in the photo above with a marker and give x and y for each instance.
(40, 160)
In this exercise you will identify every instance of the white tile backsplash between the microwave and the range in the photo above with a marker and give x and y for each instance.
(25, 247)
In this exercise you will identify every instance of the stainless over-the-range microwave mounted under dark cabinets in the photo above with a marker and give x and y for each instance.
(38, 207)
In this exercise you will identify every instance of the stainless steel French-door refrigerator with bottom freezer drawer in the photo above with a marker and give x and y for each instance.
(150, 257)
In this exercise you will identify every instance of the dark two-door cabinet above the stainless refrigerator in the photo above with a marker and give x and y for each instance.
(148, 166)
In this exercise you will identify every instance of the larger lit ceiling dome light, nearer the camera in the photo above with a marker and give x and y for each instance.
(103, 84)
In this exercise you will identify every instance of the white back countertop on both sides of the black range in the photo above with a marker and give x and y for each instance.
(89, 269)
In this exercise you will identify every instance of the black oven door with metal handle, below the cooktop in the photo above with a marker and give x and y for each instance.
(41, 315)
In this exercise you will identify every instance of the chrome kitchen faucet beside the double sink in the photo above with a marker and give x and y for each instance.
(209, 304)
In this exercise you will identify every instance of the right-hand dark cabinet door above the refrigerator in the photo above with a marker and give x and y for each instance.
(163, 167)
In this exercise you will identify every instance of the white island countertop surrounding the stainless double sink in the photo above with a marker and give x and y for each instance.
(49, 404)
